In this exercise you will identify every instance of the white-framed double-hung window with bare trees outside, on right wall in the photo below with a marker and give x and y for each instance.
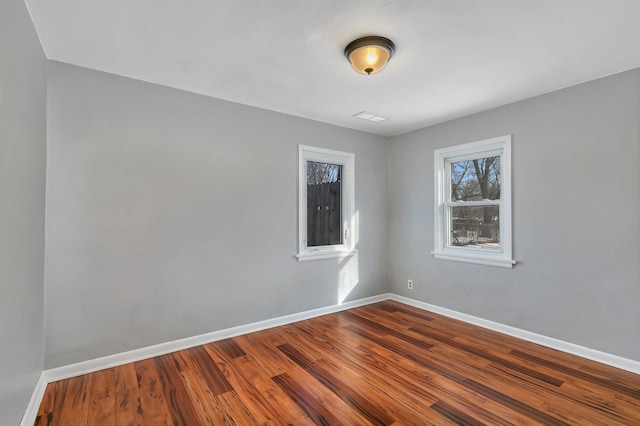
(473, 203)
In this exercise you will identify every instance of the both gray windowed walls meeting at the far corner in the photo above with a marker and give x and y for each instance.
(172, 214)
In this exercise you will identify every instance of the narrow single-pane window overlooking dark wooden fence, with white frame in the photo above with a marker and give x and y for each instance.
(326, 203)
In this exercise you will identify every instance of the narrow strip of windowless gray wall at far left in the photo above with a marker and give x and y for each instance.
(23, 71)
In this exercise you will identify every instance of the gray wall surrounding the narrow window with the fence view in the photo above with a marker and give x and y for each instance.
(171, 214)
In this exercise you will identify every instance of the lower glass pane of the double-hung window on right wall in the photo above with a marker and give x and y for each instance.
(475, 227)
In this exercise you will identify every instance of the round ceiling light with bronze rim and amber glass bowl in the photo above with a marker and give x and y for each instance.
(370, 54)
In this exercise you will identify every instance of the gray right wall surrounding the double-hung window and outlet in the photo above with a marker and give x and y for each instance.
(576, 198)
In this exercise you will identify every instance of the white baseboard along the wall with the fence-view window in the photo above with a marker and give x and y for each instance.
(114, 360)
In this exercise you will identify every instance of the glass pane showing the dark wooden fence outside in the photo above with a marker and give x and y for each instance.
(324, 204)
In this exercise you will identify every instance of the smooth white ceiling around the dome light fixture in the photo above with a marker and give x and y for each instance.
(453, 57)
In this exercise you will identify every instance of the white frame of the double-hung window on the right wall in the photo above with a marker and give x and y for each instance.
(442, 159)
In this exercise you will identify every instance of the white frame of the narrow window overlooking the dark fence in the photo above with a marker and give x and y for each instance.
(347, 161)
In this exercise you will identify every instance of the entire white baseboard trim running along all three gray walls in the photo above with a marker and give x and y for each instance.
(114, 360)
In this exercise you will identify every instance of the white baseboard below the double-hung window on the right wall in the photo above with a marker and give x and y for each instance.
(550, 342)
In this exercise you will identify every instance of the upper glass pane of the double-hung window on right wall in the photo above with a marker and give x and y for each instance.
(475, 180)
